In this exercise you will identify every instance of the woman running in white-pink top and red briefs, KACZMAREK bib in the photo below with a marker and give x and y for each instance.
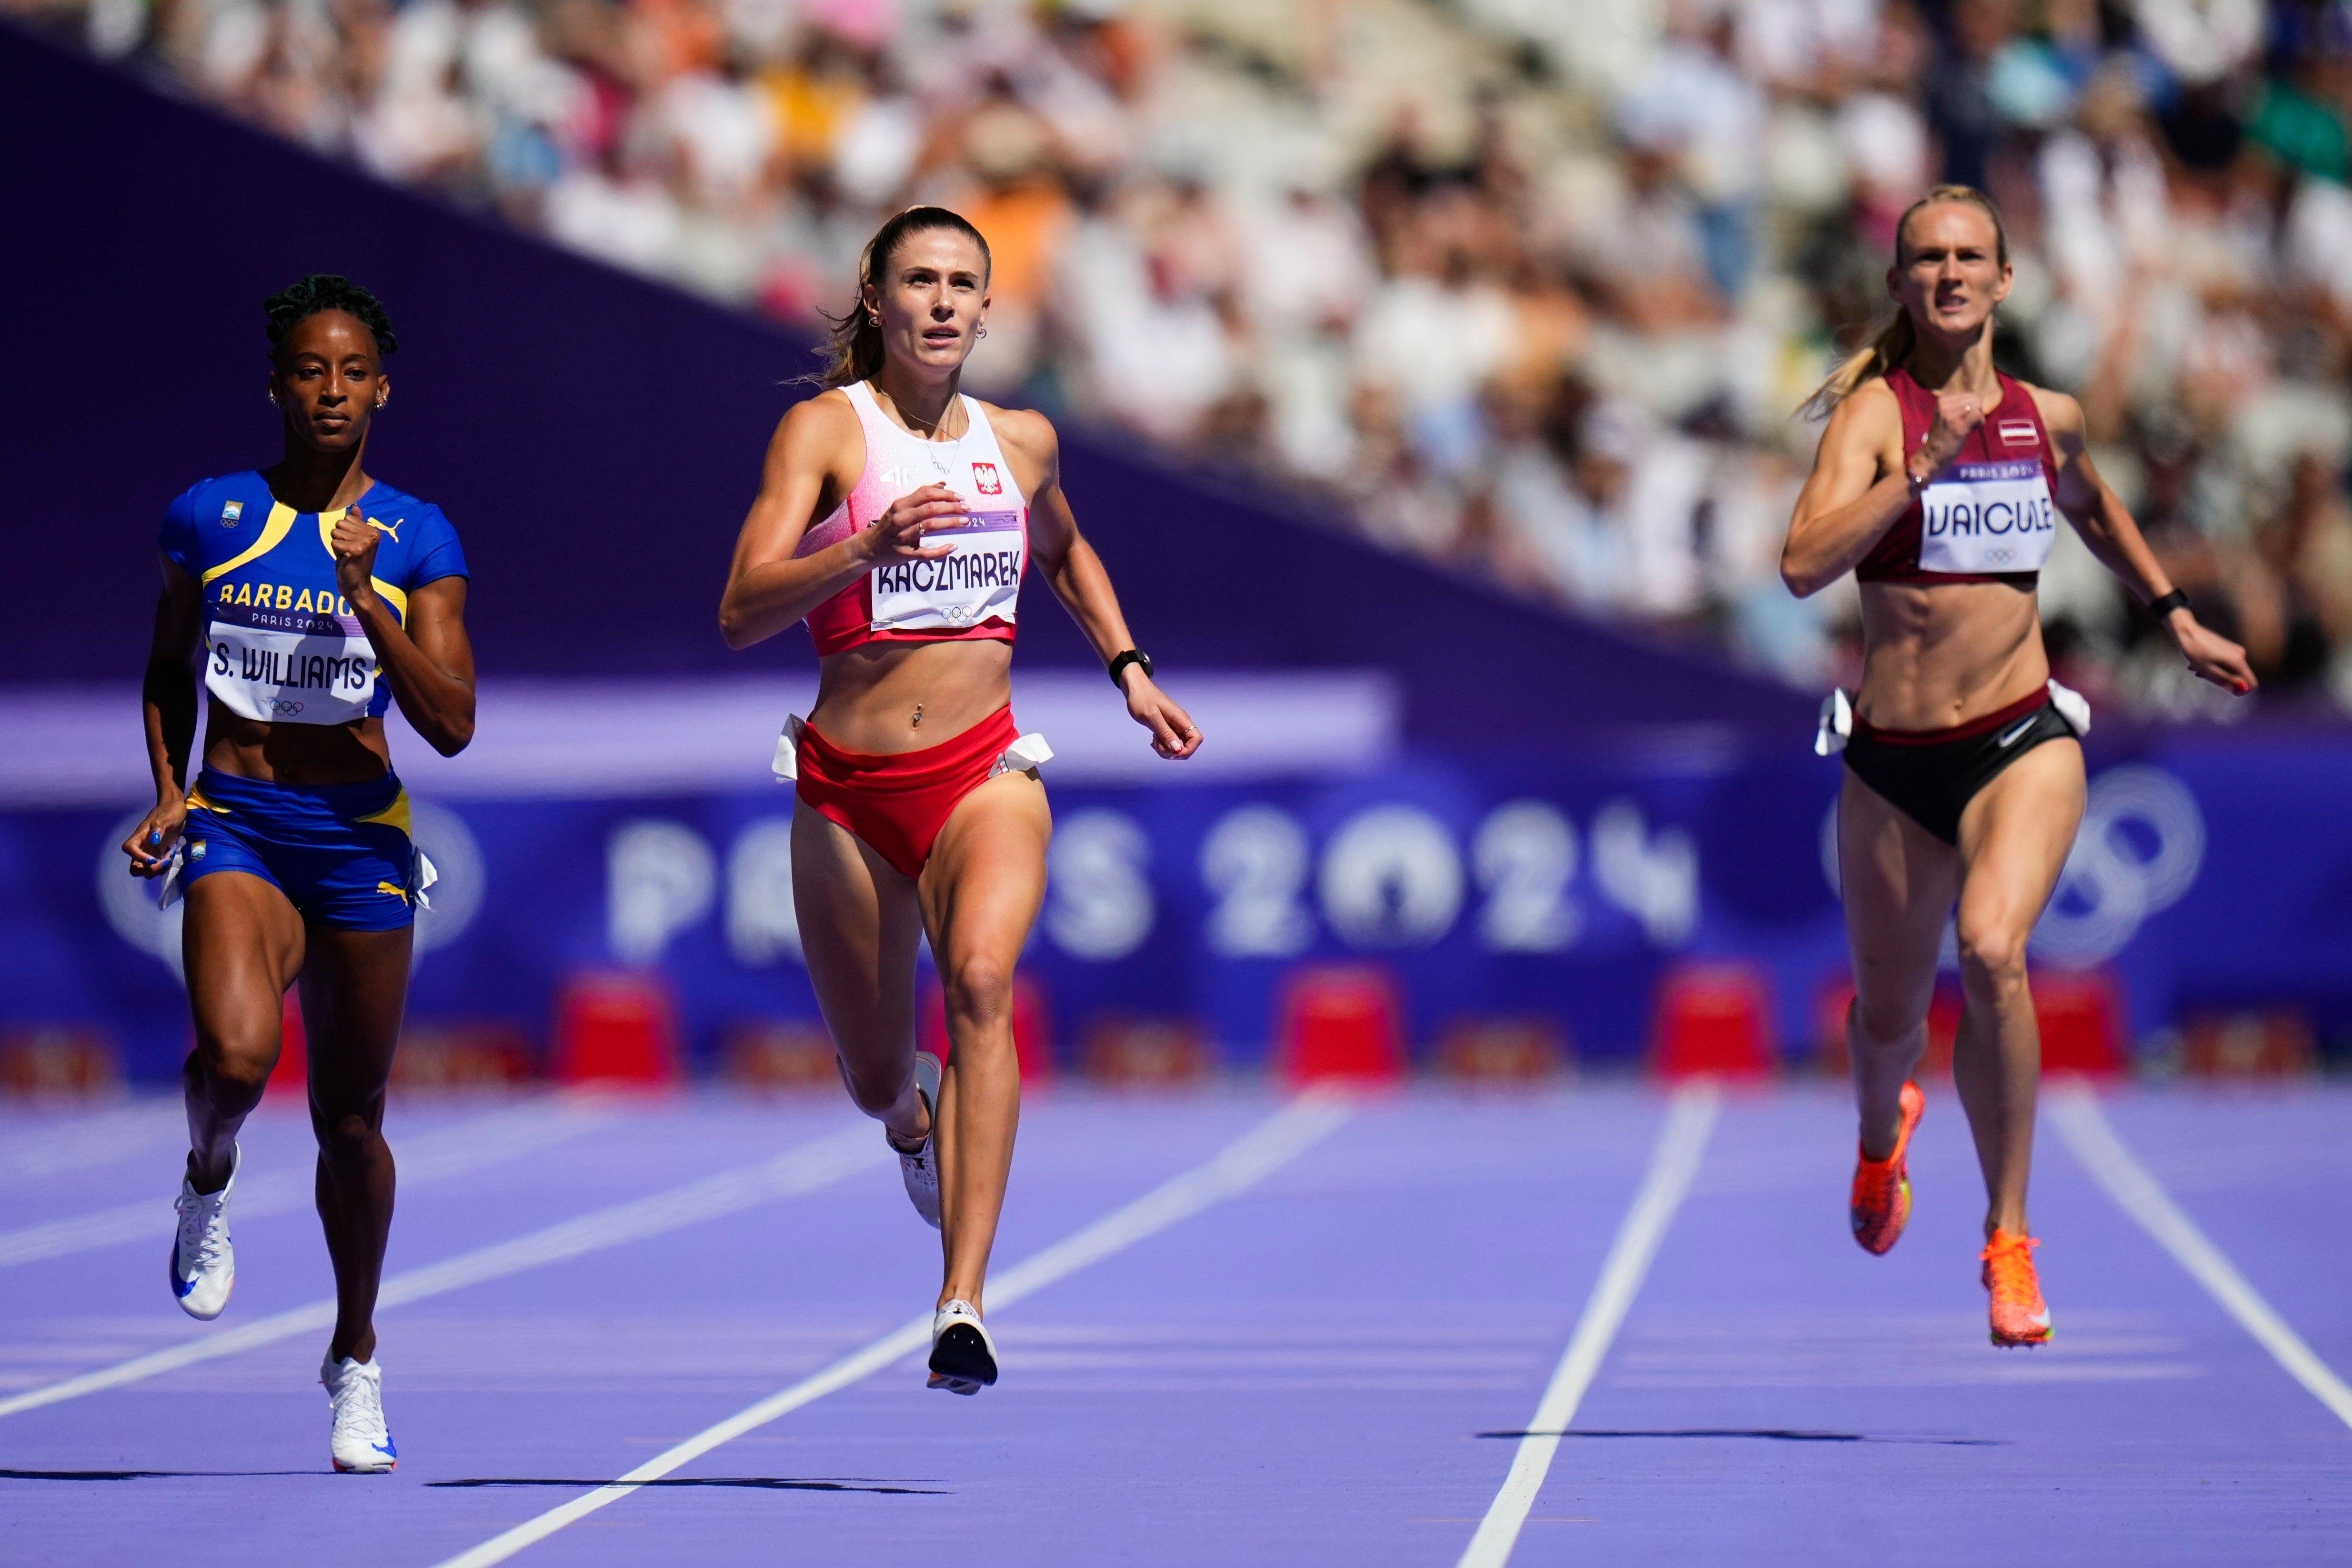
(897, 518)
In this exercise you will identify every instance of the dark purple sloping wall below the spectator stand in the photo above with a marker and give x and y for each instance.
(596, 441)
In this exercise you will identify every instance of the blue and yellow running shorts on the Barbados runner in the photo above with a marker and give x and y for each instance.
(340, 855)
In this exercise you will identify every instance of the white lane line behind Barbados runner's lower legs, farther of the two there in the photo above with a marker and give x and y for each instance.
(446, 1151)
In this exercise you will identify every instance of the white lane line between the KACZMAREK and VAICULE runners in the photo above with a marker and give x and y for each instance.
(1671, 1170)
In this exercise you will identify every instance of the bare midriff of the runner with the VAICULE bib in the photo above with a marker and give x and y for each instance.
(1939, 655)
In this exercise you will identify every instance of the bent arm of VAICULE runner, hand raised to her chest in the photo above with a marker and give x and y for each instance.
(1862, 481)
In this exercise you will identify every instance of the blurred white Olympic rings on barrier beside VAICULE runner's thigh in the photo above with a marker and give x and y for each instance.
(2139, 852)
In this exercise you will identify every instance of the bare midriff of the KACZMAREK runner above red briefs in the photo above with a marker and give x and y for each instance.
(867, 697)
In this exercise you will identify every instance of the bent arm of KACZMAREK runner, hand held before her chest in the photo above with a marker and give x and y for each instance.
(770, 589)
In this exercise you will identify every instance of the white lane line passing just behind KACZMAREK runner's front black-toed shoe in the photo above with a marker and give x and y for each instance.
(1262, 1153)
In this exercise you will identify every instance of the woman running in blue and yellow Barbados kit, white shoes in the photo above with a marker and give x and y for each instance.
(305, 598)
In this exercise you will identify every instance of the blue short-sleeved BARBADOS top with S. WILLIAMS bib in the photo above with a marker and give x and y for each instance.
(281, 643)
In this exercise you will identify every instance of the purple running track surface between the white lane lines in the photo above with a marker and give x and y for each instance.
(1323, 1369)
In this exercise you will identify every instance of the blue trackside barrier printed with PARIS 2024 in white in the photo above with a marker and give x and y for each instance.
(2207, 876)
